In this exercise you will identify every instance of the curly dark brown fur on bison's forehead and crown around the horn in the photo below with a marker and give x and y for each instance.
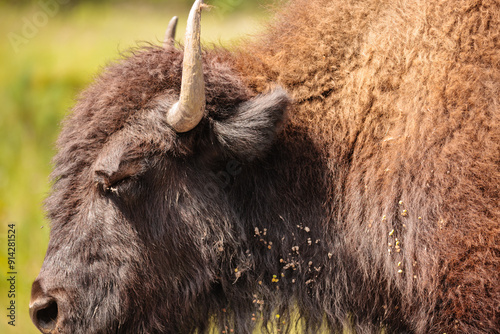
(122, 99)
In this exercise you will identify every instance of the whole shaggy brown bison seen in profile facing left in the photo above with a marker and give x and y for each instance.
(341, 169)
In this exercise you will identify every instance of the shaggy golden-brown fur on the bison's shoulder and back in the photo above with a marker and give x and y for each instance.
(404, 96)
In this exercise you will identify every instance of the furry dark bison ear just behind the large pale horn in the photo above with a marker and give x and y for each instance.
(250, 131)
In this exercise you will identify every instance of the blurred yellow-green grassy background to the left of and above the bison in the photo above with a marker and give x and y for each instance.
(49, 51)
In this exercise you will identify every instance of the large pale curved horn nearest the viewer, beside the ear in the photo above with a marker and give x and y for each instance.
(188, 111)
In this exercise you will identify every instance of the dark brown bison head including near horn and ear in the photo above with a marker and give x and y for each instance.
(140, 212)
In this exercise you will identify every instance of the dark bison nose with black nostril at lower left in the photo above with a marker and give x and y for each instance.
(44, 309)
